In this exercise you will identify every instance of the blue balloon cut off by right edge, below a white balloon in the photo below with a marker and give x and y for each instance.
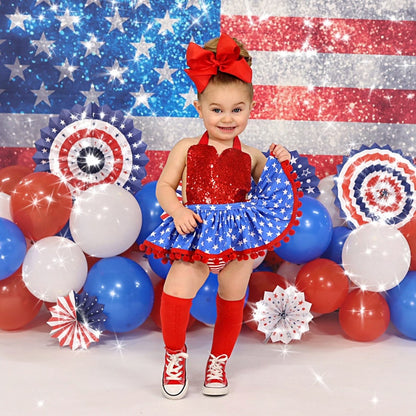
(402, 303)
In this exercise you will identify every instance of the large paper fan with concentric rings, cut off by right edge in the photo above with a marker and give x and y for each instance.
(376, 184)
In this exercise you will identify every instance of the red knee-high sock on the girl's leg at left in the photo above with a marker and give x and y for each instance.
(174, 316)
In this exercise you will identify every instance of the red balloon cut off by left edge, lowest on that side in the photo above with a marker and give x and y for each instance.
(18, 306)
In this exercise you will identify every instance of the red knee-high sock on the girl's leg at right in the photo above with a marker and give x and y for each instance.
(227, 326)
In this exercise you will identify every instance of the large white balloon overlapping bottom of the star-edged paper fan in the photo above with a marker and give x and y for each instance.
(105, 220)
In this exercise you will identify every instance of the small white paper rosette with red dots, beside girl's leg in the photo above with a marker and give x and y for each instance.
(283, 315)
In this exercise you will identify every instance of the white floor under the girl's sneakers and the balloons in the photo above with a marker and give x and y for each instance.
(323, 374)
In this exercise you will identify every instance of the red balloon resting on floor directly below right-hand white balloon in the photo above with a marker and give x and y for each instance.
(364, 315)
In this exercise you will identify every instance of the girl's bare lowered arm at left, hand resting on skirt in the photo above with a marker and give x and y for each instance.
(184, 219)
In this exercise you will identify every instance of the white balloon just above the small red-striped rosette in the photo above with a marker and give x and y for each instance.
(53, 267)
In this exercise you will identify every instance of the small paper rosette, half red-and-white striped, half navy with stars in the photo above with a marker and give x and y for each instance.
(77, 320)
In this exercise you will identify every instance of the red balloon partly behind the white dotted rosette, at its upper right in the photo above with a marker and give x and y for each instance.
(324, 284)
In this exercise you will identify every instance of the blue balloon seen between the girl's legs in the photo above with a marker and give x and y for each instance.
(204, 304)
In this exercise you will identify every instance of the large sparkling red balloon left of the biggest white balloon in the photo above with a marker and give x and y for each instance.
(40, 205)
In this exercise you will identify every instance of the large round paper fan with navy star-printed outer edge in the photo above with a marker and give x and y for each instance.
(91, 145)
